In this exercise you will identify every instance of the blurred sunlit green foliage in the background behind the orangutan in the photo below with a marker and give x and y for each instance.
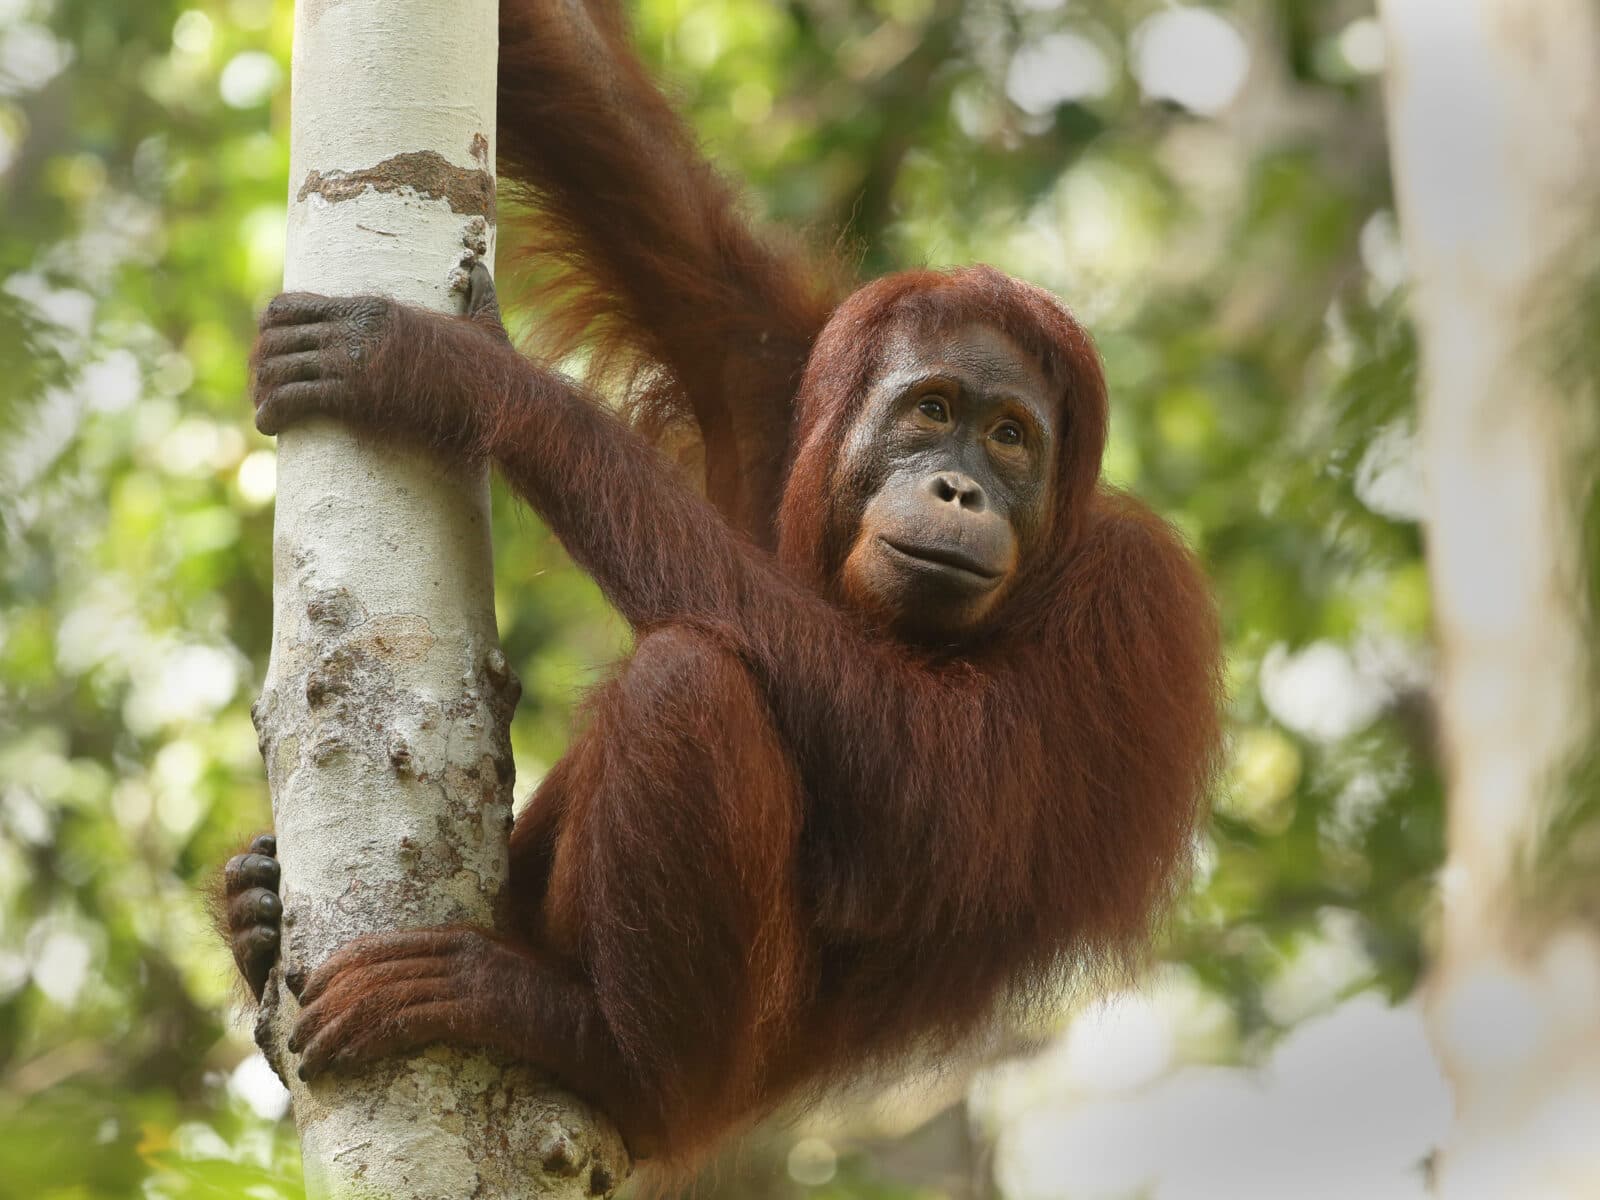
(1238, 271)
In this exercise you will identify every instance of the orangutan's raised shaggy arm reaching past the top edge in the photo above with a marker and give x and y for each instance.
(642, 254)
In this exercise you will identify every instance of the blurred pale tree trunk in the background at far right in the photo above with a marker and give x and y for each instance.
(1495, 129)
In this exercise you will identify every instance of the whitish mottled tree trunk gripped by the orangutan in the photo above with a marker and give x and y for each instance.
(386, 710)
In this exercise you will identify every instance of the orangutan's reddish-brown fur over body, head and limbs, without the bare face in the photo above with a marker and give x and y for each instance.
(785, 847)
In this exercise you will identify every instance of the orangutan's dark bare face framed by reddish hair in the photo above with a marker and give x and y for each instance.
(954, 449)
